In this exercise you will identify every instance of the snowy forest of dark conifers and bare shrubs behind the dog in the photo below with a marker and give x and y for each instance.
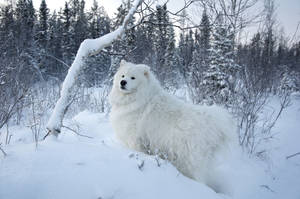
(209, 61)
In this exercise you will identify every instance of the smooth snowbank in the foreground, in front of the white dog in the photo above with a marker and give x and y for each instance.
(78, 167)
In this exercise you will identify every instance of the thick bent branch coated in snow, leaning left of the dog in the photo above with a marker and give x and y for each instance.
(87, 48)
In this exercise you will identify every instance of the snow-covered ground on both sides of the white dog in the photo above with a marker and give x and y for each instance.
(100, 167)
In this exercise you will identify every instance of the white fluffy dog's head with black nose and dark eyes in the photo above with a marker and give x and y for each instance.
(130, 77)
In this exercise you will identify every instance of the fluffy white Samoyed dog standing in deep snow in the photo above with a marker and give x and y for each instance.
(148, 119)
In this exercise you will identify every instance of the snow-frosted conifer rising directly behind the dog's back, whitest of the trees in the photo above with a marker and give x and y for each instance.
(220, 76)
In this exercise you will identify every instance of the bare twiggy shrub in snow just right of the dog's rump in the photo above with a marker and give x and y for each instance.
(255, 119)
